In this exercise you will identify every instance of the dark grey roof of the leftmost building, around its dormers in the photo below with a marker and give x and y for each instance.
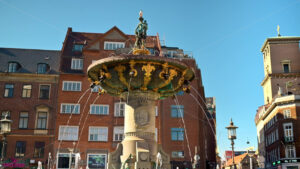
(28, 59)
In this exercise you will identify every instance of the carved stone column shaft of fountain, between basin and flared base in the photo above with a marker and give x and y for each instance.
(139, 126)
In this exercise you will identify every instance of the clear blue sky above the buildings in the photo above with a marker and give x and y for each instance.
(224, 36)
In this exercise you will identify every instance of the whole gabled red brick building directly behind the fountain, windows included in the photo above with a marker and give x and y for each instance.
(92, 125)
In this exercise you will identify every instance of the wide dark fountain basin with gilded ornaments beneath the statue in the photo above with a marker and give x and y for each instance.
(126, 73)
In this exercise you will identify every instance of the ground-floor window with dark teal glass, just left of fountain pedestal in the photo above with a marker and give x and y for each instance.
(96, 161)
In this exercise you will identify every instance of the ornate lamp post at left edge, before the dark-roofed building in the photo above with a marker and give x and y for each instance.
(5, 129)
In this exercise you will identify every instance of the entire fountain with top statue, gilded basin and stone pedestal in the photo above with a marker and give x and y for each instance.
(141, 80)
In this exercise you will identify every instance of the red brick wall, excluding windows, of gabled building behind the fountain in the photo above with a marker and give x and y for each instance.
(196, 124)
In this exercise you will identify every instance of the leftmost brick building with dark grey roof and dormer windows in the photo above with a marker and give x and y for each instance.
(28, 87)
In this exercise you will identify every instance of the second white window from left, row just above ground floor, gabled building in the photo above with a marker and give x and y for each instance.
(98, 133)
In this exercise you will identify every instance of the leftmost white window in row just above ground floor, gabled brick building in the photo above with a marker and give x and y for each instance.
(68, 133)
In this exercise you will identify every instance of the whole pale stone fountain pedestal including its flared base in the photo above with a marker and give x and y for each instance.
(139, 148)
